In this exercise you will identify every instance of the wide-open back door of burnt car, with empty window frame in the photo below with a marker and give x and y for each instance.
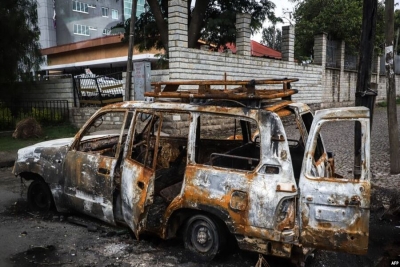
(334, 210)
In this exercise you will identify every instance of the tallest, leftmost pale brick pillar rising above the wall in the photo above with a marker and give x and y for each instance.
(177, 24)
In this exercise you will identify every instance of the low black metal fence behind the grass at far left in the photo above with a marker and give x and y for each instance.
(45, 112)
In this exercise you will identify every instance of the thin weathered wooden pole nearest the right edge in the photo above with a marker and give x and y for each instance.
(391, 89)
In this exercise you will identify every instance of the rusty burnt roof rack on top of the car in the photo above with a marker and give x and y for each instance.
(245, 93)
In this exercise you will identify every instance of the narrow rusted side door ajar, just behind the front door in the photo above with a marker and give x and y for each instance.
(137, 183)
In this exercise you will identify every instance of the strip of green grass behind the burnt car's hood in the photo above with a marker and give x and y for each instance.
(7, 143)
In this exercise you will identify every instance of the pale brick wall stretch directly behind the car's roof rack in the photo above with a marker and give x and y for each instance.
(196, 64)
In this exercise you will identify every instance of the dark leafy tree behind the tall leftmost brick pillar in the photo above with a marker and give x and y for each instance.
(212, 21)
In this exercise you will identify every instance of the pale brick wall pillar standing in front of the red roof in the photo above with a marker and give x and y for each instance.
(243, 34)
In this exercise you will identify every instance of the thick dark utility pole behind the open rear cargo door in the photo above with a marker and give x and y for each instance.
(364, 95)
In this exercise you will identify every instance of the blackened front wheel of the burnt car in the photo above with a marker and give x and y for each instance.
(39, 196)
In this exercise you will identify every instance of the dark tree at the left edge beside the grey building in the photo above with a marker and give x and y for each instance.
(19, 47)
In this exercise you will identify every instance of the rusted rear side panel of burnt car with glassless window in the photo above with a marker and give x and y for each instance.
(244, 174)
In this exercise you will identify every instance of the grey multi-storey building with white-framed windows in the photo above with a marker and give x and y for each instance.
(69, 21)
